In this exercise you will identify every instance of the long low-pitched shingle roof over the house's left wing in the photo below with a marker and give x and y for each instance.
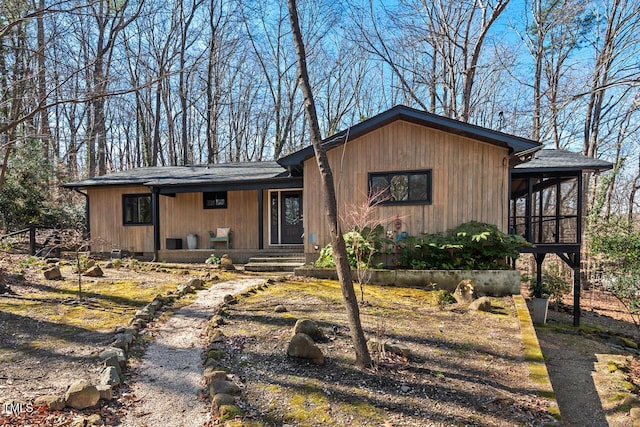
(165, 176)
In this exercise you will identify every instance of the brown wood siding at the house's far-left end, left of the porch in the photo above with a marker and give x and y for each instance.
(107, 230)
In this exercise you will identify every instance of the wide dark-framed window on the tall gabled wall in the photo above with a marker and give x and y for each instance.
(405, 187)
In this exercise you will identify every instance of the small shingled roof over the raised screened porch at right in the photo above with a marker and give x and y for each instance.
(550, 160)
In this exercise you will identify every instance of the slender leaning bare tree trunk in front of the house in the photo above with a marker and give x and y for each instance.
(363, 359)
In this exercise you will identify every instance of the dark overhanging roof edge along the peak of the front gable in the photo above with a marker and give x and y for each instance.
(515, 144)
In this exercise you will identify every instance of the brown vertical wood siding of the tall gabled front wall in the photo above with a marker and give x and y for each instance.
(469, 179)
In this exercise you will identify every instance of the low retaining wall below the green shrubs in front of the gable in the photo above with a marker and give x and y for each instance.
(488, 282)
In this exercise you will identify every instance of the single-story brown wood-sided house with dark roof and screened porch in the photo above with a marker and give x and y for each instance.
(435, 172)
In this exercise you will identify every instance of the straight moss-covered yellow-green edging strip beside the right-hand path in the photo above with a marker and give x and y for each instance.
(534, 358)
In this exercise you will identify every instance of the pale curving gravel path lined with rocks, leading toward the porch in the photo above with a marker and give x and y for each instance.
(168, 383)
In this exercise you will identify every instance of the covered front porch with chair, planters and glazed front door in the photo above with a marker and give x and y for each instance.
(243, 215)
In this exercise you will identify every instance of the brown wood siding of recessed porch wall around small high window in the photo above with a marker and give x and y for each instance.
(184, 214)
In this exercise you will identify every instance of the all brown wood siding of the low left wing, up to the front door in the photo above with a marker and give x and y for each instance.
(179, 216)
